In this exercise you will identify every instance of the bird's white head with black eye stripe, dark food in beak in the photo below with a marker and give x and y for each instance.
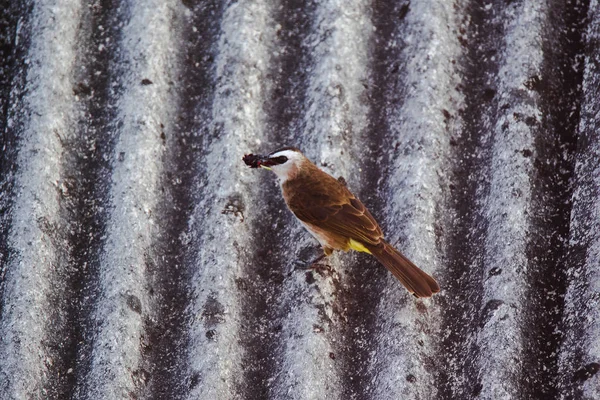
(284, 162)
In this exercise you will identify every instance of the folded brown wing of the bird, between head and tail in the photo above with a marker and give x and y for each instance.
(328, 204)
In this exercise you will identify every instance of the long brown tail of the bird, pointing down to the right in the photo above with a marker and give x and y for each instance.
(412, 277)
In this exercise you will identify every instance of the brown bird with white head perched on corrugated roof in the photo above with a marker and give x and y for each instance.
(336, 217)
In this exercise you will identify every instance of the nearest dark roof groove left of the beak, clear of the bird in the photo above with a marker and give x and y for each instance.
(171, 275)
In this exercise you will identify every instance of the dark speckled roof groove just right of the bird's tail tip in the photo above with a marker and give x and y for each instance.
(479, 33)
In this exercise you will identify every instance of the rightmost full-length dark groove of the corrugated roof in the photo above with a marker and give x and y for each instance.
(554, 149)
